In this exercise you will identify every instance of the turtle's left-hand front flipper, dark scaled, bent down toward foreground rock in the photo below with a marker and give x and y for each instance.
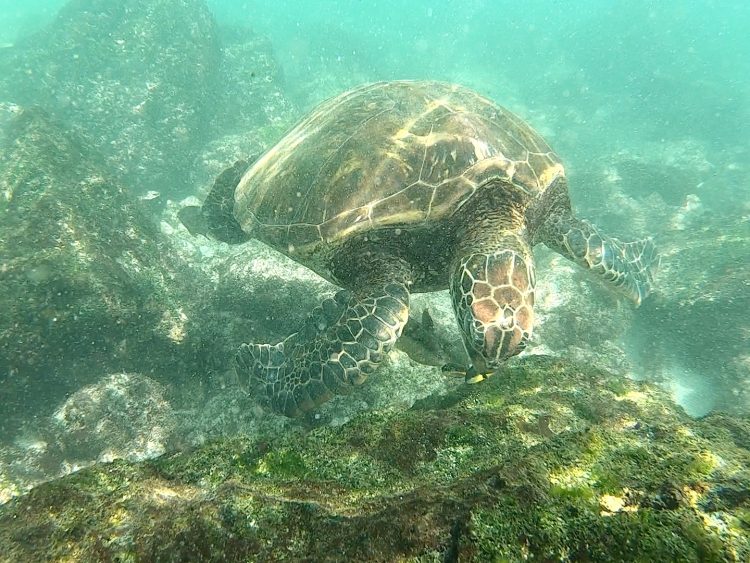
(343, 341)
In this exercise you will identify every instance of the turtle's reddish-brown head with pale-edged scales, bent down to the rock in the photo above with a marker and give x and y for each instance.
(493, 298)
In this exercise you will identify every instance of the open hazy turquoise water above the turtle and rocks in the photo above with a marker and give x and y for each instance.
(669, 68)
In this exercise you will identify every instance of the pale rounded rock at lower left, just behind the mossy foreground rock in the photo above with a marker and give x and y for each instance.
(121, 416)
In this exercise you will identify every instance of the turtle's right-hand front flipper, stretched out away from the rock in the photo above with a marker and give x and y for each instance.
(629, 266)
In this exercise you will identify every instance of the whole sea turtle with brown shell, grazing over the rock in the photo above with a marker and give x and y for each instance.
(400, 187)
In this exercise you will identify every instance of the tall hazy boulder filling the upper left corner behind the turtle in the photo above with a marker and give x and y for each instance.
(136, 77)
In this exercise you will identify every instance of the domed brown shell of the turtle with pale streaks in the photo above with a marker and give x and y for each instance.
(403, 154)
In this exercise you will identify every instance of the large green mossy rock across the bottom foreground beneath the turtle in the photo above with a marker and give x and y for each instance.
(546, 461)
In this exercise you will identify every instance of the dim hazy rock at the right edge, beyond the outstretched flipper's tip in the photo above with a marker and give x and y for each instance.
(695, 331)
